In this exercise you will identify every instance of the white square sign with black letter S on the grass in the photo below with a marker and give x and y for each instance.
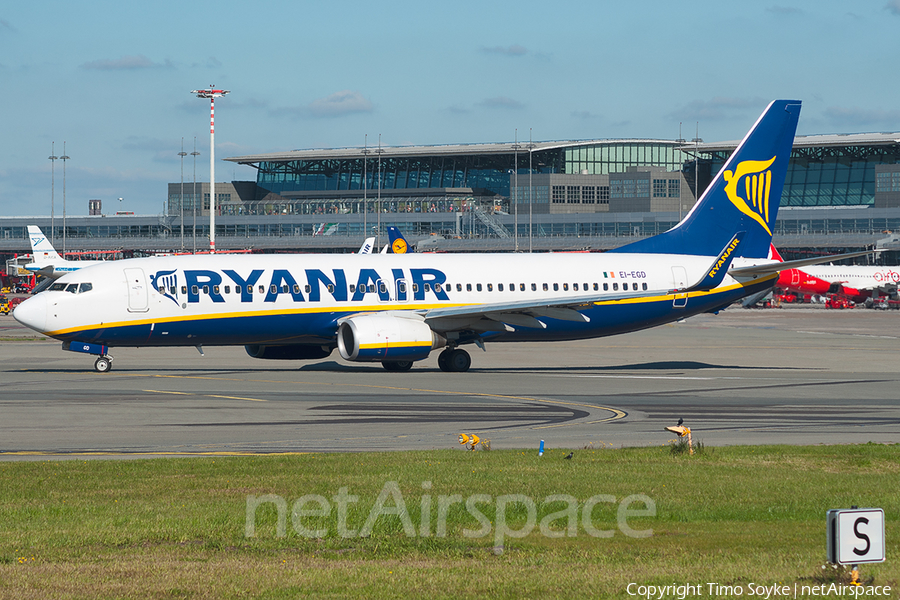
(855, 536)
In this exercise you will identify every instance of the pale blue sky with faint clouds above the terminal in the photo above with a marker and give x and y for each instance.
(112, 80)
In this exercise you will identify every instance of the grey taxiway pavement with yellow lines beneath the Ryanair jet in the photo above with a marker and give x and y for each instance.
(794, 376)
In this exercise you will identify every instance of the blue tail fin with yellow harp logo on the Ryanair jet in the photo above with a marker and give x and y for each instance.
(744, 196)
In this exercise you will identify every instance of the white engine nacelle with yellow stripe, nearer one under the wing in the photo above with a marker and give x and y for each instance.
(384, 337)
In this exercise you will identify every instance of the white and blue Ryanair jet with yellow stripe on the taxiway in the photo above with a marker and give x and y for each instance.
(397, 308)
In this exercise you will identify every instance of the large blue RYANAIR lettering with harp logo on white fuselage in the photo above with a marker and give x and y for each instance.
(310, 286)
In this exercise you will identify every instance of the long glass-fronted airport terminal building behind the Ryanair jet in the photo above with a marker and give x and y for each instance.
(841, 191)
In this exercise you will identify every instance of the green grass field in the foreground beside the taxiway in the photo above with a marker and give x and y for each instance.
(177, 528)
